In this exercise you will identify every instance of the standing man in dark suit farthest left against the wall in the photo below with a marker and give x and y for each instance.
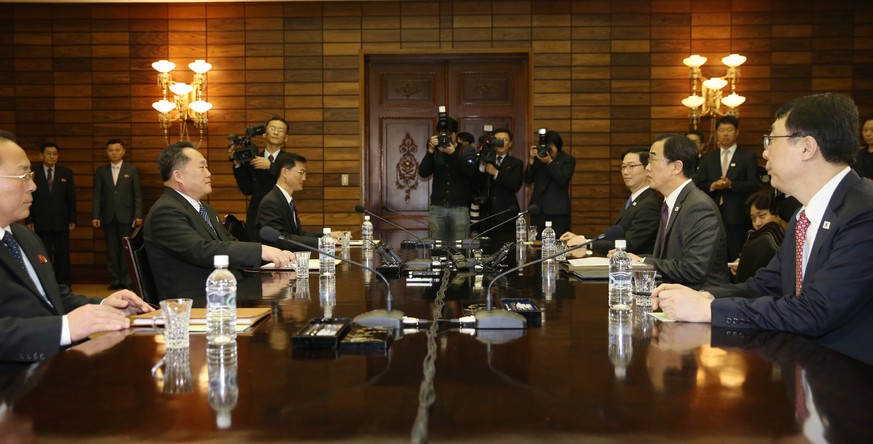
(53, 213)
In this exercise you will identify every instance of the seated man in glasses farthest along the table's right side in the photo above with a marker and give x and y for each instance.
(640, 215)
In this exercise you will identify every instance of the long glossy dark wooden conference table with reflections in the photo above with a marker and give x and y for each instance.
(584, 375)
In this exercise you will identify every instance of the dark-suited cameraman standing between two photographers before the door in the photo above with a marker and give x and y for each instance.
(502, 179)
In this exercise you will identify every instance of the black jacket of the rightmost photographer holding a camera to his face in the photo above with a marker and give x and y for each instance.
(551, 184)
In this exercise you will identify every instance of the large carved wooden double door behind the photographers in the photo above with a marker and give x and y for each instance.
(403, 95)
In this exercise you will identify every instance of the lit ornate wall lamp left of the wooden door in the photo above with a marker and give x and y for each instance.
(187, 99)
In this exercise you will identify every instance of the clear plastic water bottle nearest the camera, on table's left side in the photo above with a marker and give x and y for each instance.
(221, 303)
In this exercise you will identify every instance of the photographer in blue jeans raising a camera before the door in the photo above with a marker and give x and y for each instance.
(452, 166)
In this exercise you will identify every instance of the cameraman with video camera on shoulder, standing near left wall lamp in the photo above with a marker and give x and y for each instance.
(256, 173)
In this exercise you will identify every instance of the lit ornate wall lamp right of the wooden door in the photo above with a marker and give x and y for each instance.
(711, 97)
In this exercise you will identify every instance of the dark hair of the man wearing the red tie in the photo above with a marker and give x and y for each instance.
(830, 119)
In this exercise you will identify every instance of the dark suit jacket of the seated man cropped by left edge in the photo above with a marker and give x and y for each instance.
(30, 328)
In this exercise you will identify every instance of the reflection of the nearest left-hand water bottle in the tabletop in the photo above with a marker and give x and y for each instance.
(223, 389)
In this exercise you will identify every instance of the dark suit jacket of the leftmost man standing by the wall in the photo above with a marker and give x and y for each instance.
(53, 210)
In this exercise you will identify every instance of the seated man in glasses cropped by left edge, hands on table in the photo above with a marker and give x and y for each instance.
(37, 316)
